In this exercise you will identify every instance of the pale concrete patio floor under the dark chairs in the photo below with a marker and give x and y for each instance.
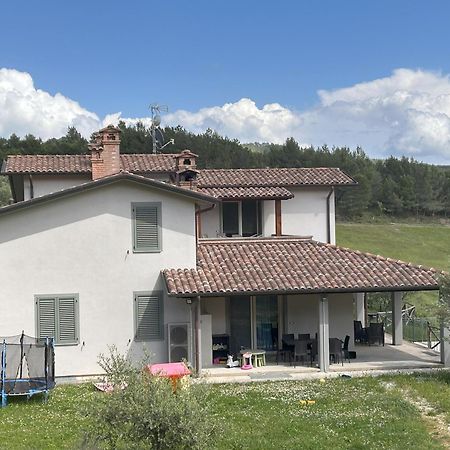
(370, 360)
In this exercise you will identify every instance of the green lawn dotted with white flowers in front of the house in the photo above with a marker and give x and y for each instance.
(345, 414)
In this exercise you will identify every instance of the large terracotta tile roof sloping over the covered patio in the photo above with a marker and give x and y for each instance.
(291, 265)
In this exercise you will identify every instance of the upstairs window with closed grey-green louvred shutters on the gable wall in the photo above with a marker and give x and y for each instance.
(146, 227)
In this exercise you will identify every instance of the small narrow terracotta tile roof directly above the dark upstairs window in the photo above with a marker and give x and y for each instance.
(263, 193)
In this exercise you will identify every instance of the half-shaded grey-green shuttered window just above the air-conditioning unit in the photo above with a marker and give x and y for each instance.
(148, 316)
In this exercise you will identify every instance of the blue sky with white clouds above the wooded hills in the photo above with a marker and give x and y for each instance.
(112, 57)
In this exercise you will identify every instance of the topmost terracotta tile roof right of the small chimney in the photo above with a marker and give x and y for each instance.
(327, 176)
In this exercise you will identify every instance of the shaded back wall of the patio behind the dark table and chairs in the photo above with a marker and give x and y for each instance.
(302, 315)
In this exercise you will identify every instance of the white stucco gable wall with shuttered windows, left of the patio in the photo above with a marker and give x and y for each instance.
(83, 244)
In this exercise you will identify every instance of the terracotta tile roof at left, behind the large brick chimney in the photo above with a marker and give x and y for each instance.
(34, 164)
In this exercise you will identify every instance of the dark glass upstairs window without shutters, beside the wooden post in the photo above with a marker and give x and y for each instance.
(242, 218)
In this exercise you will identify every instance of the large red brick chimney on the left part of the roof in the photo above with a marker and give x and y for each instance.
(105, 152)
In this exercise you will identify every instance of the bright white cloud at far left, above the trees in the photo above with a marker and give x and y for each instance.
(25, 109)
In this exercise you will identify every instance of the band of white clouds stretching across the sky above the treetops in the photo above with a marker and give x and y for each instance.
(406, 113)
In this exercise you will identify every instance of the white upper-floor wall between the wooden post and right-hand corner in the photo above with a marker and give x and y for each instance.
(306, 213)
